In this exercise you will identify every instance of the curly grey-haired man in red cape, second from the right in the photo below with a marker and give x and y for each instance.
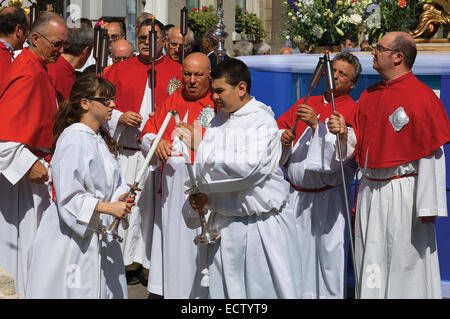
(316, 193)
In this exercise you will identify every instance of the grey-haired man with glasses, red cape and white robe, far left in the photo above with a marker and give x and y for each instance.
(28, 106)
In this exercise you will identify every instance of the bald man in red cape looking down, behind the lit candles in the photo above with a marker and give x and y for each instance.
(175, 274)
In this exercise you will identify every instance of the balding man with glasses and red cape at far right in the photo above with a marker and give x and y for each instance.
(401, 126)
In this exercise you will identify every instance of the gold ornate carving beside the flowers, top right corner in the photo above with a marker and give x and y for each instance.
(431, 15)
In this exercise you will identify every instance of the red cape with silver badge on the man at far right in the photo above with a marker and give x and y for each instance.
(427, 129)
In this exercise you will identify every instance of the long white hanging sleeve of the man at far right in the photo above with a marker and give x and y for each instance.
(431, 198)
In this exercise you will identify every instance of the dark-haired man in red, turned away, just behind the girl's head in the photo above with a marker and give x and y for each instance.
(76, 52)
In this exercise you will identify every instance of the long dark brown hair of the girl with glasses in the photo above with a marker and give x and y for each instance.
(70, 111)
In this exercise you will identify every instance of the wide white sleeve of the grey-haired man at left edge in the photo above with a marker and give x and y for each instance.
(15, 160)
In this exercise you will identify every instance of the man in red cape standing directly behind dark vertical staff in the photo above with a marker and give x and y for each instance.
(132, 80)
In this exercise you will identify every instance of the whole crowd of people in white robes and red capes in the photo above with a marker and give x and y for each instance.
(72, 143)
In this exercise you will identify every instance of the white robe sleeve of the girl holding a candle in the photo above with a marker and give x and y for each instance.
(73, 187)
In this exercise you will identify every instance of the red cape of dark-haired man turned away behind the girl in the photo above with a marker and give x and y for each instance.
(62, 76)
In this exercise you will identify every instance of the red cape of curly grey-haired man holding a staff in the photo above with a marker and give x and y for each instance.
(344, 105)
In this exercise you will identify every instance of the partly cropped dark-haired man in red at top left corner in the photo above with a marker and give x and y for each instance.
(14, 30)
